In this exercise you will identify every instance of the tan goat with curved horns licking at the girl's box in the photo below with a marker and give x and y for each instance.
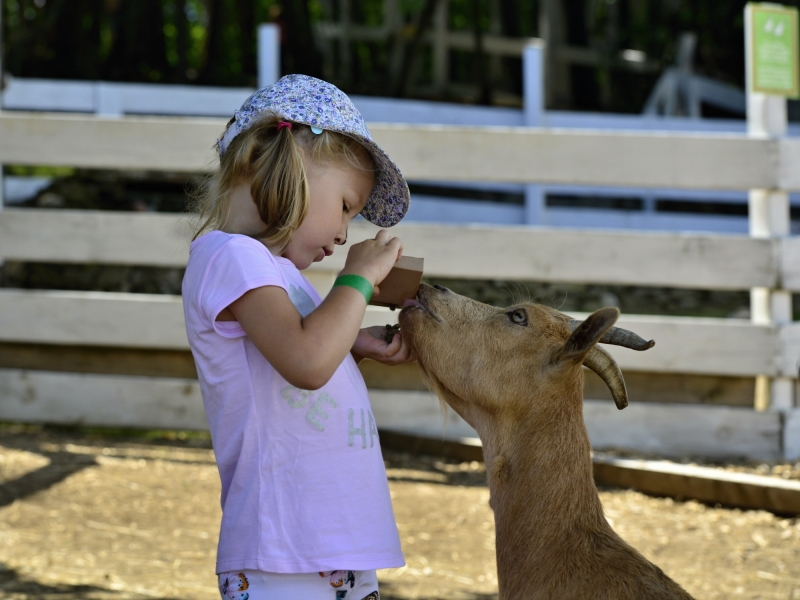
(515, 375)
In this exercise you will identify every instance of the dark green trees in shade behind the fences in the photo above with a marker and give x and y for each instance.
(213, 42)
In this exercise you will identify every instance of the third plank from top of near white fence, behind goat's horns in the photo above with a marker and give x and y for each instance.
(684, 345)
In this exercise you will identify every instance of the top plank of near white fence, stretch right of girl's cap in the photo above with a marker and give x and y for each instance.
(708, 161)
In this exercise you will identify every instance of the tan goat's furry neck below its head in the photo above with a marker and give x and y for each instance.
(542, 488)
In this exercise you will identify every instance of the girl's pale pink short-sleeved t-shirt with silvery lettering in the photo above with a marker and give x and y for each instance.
(304, 487)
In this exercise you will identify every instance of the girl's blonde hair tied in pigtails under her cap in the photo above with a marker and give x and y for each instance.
(272, 160)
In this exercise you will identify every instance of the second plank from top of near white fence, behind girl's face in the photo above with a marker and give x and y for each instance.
(516, 253)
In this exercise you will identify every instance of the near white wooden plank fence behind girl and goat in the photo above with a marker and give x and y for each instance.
(724, 347)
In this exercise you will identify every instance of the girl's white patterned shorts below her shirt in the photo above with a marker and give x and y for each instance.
(327, 585)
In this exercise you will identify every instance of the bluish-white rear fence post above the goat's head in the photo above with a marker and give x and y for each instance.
(533, 95)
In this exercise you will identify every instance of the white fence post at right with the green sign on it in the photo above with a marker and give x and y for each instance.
(768, 218)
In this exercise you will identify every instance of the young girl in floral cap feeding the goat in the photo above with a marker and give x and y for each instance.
(306, 512)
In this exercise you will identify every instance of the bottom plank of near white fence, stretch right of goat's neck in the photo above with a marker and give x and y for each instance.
(685, 430)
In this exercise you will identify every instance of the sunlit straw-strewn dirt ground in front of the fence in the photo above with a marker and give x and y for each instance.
(111, 518)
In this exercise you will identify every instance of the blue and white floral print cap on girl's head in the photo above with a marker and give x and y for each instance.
(317, 103)
